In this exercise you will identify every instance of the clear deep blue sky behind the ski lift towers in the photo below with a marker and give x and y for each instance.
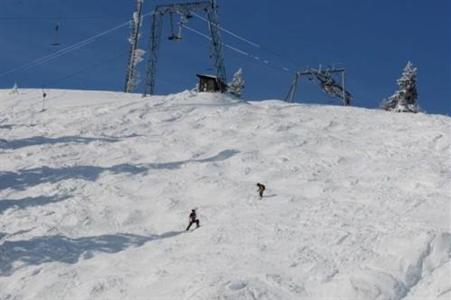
(372, 39)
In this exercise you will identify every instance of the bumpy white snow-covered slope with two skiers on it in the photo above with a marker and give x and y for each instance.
(95, 193)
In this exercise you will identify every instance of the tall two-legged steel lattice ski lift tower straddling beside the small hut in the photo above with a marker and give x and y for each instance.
(184, 11)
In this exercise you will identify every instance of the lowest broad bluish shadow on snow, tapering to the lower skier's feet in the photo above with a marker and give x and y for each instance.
(57, 248)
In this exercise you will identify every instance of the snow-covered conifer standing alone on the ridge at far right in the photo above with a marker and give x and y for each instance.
(405, 98)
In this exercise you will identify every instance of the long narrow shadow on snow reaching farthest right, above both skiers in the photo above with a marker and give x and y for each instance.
(30, 177)
